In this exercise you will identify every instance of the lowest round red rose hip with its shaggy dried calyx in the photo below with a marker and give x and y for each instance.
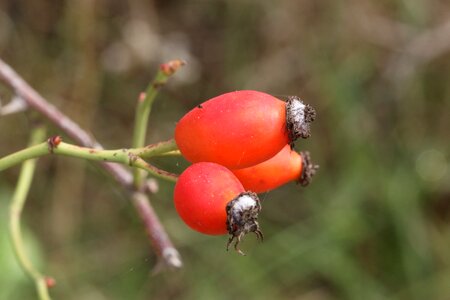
(211, 200)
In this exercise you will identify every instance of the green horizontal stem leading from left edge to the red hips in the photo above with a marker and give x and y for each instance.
(123, 156)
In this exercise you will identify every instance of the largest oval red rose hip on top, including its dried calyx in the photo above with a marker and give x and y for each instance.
(242, 128)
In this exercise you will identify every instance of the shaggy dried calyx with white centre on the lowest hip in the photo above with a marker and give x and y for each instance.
(242, 218)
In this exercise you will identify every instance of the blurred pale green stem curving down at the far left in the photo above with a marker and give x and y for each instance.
(17, 204)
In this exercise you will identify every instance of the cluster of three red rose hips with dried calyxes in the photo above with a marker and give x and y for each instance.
(240, 143)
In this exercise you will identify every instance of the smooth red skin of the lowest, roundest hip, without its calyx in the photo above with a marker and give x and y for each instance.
(201, 195)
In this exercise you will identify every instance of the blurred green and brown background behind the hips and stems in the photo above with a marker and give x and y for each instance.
(374, 223)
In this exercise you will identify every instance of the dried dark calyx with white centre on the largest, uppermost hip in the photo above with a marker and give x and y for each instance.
(298, 118)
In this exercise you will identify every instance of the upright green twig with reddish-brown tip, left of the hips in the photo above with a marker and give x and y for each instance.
(144, 107)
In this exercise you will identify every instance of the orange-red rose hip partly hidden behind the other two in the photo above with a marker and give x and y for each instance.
(286, 166)
